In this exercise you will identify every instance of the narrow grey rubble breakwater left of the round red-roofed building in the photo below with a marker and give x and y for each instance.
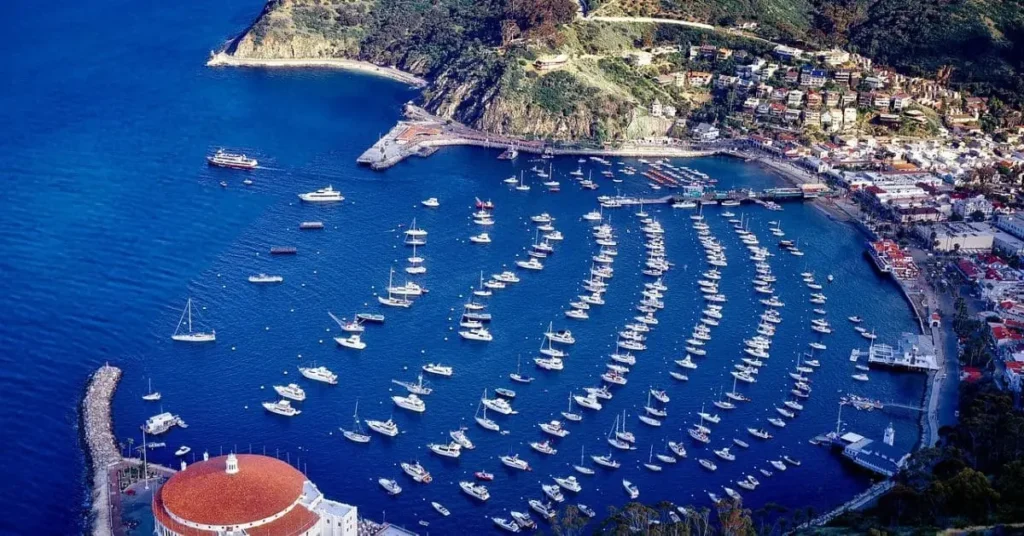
(102, 448)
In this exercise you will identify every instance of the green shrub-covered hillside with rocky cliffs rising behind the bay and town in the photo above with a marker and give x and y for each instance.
(480, 55)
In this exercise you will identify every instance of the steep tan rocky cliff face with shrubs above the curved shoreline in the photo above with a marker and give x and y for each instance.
(495, 91)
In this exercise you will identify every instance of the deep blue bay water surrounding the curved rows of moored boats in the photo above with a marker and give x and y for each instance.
(111, 221)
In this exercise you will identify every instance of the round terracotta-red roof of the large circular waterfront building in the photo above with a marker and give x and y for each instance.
(205, 493)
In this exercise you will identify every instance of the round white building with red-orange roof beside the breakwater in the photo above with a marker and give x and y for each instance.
(247, 494)
